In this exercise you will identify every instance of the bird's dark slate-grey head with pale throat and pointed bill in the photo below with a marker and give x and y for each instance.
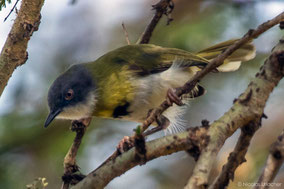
(71, 96)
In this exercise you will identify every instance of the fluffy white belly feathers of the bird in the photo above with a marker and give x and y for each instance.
(152, 92)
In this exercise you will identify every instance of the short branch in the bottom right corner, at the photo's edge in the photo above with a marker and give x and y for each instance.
(273, 163)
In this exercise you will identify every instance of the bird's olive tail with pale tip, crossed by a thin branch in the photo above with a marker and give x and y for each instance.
(233, 62)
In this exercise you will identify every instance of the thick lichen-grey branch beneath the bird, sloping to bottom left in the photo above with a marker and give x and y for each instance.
(195, 137)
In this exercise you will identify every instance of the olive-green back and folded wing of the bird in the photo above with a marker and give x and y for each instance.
(146, 59)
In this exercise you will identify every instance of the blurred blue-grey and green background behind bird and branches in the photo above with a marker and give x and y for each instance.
(83, 31)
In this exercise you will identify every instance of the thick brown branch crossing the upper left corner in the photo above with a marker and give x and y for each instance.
(14, 52)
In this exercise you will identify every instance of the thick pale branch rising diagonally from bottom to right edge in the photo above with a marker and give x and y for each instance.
(247, 108)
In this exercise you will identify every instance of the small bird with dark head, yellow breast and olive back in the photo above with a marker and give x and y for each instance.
(127, 82)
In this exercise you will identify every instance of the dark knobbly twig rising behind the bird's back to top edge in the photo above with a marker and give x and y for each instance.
(161, 8)
